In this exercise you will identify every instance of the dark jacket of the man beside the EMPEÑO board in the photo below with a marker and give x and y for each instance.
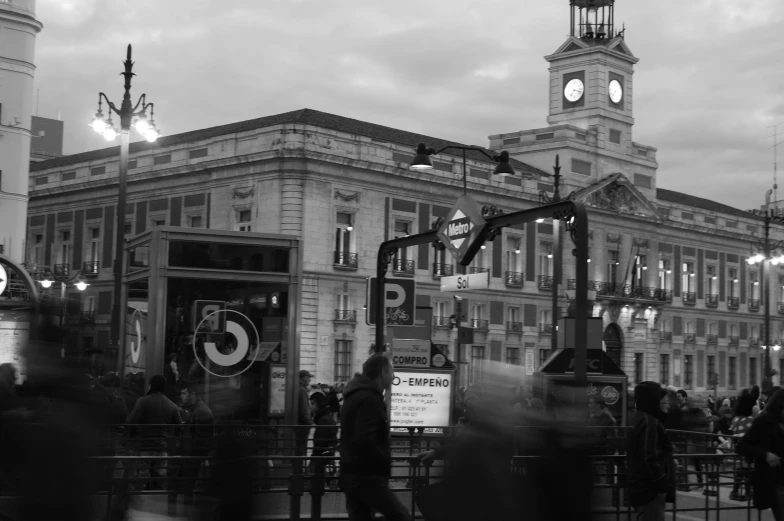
(364, 430)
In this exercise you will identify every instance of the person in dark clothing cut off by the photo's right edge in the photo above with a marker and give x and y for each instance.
(764, 443)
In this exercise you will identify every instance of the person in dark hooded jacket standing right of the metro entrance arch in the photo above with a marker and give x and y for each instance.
(650, 466)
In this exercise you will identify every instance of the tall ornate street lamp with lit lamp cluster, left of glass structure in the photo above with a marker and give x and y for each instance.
(129, 115)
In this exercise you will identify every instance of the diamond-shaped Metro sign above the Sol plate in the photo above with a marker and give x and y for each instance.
(463, 231)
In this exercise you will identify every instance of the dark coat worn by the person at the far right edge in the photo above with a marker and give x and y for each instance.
(764, 436)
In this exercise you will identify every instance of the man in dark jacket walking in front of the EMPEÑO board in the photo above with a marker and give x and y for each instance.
(366, 458)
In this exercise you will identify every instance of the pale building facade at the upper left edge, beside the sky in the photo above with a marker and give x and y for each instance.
(18, 30)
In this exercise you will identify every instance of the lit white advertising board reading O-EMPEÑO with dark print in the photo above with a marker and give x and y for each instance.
(421, 399)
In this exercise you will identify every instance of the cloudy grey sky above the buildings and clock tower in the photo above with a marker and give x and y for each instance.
(707, 87)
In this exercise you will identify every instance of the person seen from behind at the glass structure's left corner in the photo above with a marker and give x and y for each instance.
(157, 411)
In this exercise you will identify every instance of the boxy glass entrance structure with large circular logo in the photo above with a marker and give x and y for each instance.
(216, 311)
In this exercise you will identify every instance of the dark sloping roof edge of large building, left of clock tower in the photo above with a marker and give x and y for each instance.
(298, 117)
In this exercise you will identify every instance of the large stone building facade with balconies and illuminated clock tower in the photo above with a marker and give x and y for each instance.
(678, 301)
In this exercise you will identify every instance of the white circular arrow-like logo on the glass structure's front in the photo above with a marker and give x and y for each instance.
(228, 351)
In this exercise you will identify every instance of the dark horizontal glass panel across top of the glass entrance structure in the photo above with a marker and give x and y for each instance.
(235, 257)
